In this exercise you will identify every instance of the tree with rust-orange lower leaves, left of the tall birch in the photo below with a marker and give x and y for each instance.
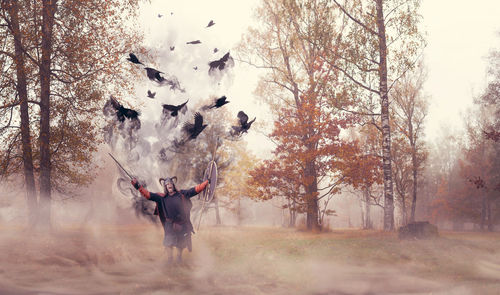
(296, 87)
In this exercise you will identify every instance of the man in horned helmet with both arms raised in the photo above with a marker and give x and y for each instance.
(174, 208)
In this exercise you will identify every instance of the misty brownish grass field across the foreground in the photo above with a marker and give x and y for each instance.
(227, 260)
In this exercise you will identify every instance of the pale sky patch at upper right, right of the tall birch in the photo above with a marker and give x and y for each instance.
(460, 34)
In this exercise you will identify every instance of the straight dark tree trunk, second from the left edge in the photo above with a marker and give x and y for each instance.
(48, 12)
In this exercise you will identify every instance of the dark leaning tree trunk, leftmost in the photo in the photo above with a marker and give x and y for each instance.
(21, 87)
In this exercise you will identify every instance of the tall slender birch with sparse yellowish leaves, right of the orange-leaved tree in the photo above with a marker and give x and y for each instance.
(378, 42)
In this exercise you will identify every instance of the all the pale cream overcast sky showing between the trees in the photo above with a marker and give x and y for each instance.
(460, 34)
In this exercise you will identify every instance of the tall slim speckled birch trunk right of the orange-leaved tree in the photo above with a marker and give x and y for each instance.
(386, 129)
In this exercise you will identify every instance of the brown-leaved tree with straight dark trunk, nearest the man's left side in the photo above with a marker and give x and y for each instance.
(72, 53)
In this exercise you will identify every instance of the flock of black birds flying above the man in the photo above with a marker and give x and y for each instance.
(191, 129)
